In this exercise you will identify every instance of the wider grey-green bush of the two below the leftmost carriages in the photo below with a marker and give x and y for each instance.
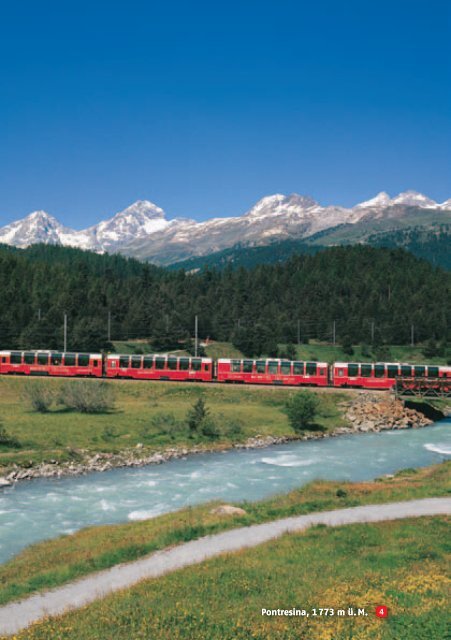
(87, 396)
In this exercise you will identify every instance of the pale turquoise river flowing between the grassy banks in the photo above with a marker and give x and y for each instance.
(46, 508)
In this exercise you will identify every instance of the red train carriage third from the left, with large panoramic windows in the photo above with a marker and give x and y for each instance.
(273, 371)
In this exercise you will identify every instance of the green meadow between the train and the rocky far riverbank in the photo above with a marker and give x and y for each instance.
(140, 413)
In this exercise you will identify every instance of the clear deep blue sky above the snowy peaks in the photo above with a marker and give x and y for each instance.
(204, 107)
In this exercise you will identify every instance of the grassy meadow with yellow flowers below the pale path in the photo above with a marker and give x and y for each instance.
(400, 564)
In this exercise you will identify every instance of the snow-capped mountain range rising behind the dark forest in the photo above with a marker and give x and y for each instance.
(142, 229)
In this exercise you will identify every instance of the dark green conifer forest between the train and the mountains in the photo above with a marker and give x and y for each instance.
(355, 294)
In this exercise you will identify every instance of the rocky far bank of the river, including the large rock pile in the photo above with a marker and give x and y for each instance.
(366, 413)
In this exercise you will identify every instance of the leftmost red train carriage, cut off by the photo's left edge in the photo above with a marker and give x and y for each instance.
(51, 363)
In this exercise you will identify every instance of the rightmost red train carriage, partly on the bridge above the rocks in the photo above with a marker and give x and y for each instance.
(382, 375)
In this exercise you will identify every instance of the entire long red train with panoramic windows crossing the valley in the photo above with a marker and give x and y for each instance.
(381, 375)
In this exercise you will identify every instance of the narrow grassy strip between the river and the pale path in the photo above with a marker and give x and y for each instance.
(54, 562)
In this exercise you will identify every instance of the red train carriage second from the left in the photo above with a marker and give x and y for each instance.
(159, 367)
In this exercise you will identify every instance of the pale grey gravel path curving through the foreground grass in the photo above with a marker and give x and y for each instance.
(17, 616)
